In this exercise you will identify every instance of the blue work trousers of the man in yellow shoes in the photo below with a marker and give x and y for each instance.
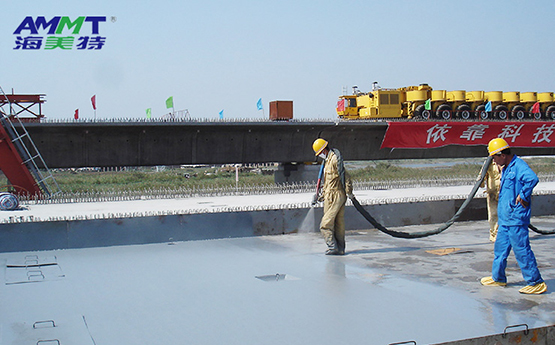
(515, 237)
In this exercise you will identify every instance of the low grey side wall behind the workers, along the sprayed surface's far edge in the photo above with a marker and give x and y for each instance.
(65, 234)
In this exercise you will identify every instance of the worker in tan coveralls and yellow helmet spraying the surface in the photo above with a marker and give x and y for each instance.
(337, 186)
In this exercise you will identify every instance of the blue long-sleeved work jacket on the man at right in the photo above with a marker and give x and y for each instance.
(517, 178)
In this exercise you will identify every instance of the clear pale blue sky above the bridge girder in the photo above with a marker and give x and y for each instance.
(214, 55)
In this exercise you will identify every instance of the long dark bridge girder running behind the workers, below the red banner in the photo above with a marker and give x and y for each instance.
(97, 144)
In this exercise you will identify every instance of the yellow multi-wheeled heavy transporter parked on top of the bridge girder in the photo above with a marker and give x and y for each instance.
(424, 103)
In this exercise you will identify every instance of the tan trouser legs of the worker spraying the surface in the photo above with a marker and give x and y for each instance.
(332, 225)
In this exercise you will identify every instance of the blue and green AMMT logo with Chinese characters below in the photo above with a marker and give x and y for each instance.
(61, 33)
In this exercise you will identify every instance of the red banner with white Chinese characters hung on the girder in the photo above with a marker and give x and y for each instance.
(438, 134)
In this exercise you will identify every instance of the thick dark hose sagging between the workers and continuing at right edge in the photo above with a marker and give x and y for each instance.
(445, 226)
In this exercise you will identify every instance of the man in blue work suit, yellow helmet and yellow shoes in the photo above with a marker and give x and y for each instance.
(517, 183)
